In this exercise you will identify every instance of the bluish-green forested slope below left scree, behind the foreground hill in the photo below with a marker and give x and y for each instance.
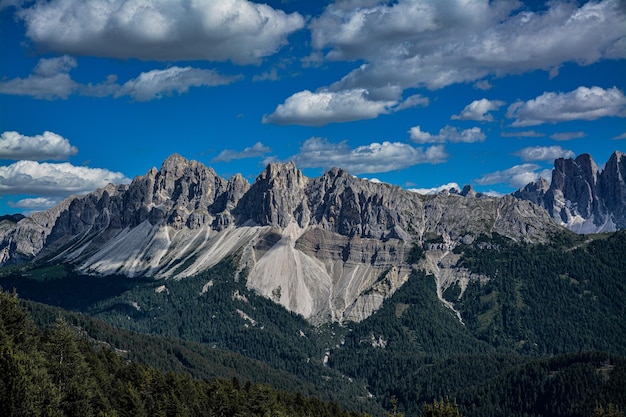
(212, 309)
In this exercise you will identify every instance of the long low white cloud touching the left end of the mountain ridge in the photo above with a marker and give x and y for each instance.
(46, 179)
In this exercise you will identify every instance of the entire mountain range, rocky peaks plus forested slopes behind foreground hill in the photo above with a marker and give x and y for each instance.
(386, 292)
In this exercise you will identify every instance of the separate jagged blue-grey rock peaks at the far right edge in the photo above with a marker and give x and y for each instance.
(581, 197)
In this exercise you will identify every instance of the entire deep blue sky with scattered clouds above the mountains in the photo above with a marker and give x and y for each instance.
(414, 93)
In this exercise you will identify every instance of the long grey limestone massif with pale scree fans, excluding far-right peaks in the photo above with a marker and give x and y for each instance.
(330, 248)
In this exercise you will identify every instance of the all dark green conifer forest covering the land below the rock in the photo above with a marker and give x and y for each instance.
(543, 334)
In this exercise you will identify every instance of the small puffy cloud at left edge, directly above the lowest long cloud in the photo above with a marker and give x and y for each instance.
(48, 146)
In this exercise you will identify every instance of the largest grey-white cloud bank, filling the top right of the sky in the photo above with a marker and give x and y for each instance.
(437, 43)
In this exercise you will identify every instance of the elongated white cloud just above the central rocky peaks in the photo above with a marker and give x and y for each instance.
(375, 157)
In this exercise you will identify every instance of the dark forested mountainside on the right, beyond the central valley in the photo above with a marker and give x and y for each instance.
(531, 336)
